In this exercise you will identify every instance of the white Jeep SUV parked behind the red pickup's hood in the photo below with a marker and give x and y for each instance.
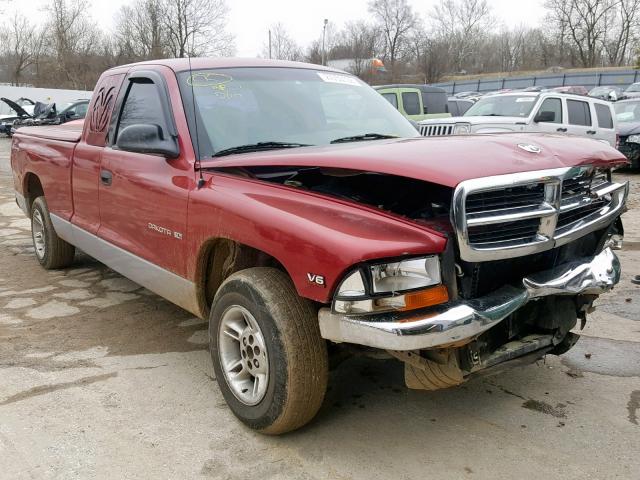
(547, 112)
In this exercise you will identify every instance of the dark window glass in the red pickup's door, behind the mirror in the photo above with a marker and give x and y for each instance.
(141, 106)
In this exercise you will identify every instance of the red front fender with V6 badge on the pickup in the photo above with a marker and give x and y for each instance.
(309, 234)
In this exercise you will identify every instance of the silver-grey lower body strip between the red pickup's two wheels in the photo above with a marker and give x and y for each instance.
(174, 288)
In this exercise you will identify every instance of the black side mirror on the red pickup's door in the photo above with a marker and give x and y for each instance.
(147, 138)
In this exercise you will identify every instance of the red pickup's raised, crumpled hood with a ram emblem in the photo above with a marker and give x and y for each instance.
(442, 160)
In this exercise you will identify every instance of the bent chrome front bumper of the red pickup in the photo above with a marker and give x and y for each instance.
(461, 321)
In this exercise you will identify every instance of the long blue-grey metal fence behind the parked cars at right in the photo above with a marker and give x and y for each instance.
(621, 78)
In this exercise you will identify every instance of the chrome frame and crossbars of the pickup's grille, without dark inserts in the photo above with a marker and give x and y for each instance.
(549, 235)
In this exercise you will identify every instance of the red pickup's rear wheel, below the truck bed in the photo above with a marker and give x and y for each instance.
(51, 251)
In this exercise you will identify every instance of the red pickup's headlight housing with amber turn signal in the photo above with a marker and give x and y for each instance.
(391, 286)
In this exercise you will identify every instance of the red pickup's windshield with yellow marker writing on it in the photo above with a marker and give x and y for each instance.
(245, 106)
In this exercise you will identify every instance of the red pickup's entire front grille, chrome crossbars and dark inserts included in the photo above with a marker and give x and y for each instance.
(520, 214)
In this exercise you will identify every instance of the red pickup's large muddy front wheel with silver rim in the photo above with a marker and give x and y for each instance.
(269, 358)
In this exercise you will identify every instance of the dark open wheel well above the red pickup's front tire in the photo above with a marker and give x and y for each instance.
(218, 259)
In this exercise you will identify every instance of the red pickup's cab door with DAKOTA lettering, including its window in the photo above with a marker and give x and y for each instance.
(143, 196)
